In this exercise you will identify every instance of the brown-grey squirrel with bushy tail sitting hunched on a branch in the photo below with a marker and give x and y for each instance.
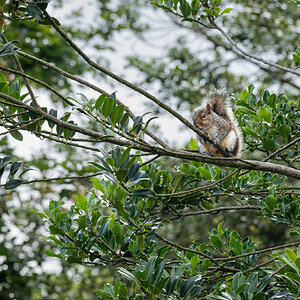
(215, 118)
